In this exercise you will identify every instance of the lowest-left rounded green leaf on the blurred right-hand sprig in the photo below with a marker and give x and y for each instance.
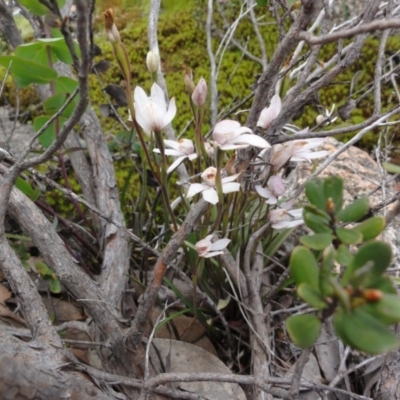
(303, 329)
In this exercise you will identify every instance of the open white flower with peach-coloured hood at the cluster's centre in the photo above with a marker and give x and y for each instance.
(208, 190)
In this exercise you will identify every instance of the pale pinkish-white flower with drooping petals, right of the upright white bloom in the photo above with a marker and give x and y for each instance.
(230, 135)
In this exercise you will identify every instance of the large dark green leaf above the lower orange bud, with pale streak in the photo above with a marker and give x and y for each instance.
(369, 263)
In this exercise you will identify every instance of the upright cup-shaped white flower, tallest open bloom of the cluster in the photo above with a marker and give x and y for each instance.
(152, 113)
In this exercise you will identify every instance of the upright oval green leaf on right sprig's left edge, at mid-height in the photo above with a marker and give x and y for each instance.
(304, 267)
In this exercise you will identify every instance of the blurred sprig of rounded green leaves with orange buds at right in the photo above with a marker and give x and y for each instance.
(363, 302)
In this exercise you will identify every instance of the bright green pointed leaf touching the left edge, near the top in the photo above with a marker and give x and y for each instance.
(26, 71)
